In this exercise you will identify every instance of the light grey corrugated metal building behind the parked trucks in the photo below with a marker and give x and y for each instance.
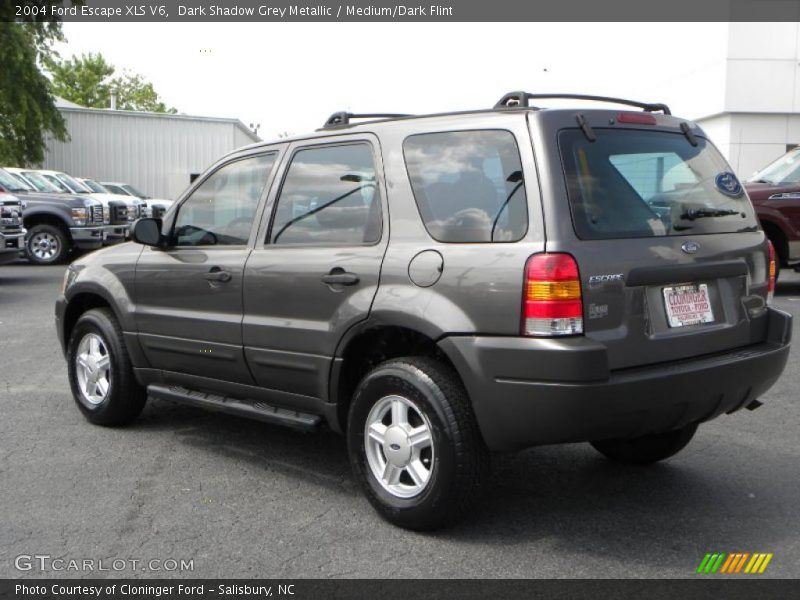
(155, 152)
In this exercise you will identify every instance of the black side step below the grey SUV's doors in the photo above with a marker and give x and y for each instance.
(259, 411)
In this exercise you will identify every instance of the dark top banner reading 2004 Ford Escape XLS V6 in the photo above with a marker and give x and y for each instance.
(377, 10)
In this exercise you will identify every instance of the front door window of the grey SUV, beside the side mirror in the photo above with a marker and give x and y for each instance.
(221, 210)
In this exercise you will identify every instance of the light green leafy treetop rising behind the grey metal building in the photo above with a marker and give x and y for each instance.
(88, 80)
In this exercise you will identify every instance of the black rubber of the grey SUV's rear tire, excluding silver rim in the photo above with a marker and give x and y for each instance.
(460, 461)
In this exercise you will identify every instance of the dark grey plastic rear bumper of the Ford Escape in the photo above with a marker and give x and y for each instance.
(527, 392)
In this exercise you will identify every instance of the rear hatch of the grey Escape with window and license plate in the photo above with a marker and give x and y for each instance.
(671, 258)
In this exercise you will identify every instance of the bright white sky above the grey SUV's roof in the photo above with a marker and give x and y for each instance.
(290, 77)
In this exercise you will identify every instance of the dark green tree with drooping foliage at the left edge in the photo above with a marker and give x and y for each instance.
(27, 110)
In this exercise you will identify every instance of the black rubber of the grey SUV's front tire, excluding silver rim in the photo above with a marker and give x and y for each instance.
(125, 398)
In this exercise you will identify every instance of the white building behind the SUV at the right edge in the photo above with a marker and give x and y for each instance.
(748, 93)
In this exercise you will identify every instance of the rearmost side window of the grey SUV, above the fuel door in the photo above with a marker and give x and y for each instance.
(468, 185)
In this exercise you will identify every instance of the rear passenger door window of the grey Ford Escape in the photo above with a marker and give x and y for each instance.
(329, 196)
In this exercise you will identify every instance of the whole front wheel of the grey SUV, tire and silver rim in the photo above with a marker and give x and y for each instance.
(124, 398)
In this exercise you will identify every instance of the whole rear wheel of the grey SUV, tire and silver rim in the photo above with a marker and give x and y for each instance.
(449, 470)
